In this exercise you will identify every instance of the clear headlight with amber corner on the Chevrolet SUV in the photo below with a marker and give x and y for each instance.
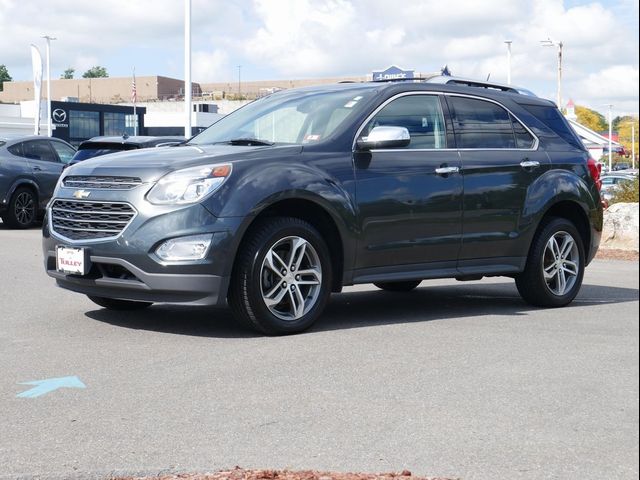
(189, 185)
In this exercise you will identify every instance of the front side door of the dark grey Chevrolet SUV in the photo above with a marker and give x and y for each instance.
(410, 214)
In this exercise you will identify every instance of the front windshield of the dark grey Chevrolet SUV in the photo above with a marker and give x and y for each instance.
(290, 117)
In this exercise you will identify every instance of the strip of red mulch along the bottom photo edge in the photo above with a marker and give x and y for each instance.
(242, 474)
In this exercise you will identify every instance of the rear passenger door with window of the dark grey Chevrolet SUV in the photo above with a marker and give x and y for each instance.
(500, 161)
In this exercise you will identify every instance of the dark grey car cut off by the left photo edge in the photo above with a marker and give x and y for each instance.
(29, 169)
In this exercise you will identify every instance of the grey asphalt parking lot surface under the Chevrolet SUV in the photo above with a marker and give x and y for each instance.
(454, 379)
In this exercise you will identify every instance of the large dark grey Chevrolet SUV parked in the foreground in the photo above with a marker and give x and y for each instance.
(307, 190)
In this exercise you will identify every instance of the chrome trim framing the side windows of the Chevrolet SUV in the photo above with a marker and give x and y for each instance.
(534, 148)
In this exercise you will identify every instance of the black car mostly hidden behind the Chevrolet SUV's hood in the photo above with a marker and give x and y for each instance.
(98, 146)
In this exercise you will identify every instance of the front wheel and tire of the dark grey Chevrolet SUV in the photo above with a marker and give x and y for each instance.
(264, 293)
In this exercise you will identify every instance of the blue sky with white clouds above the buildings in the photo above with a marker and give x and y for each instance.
(294, 39)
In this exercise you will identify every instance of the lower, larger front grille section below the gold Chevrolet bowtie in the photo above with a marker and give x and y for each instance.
(78, 220)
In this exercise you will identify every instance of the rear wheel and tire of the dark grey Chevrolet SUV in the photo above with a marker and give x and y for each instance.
(554, 270)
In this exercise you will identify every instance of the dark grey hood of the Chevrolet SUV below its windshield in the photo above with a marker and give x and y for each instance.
(150, 164)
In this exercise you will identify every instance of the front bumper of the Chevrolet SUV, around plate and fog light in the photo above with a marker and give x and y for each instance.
(127, 268)
